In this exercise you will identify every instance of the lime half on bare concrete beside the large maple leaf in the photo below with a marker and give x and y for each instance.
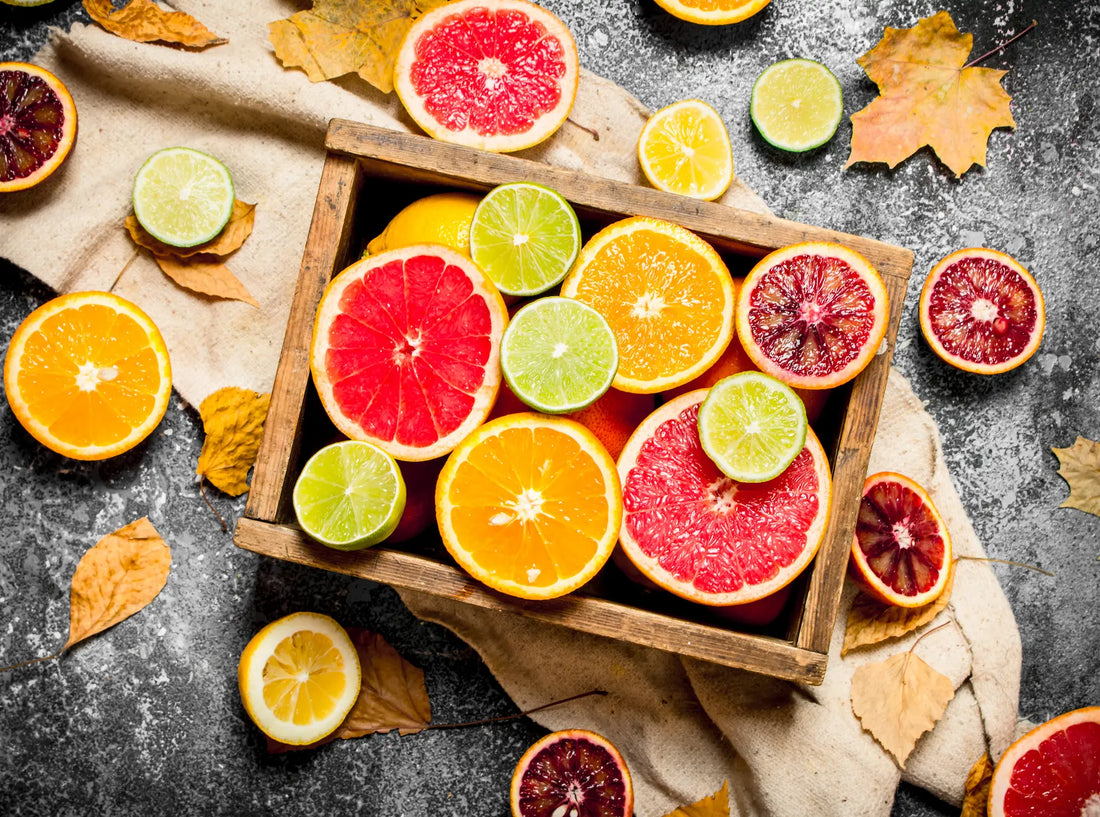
(797, 105)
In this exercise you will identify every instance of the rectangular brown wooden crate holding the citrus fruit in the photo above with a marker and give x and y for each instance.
(369, 175)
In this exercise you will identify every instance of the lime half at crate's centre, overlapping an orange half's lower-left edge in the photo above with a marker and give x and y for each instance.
(558, 356)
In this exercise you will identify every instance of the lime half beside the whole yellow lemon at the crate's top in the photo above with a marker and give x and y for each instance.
(525, 237)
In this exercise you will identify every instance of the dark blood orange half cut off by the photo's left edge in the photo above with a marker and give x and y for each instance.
(38, 125)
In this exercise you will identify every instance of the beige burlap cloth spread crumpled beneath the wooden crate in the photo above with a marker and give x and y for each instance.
(684, 726)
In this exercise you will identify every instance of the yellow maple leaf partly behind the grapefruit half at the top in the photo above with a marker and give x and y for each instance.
(337, 38)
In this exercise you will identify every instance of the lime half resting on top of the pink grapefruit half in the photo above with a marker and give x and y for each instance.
(752, 426)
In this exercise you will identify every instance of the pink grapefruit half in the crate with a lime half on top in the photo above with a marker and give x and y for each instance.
(705, 537)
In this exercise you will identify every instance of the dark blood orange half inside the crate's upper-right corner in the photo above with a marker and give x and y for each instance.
(812, 315)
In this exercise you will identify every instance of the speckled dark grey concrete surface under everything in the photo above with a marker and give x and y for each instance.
(148, 720)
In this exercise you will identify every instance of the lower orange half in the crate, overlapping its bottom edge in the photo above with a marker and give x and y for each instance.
(531, 505)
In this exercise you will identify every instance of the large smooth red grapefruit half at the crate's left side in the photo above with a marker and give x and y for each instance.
(406, 350)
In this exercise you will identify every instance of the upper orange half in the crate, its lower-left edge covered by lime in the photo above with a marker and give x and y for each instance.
(667, 295)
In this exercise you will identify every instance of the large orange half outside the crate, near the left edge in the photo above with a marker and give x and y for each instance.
(89, 376)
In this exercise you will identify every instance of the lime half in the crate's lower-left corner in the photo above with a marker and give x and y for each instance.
(350, 495)
